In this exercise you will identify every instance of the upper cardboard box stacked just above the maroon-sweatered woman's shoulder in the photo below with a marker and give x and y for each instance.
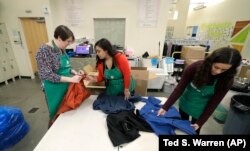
(192, 52)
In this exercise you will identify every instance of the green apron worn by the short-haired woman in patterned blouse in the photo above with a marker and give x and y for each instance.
(55, 91)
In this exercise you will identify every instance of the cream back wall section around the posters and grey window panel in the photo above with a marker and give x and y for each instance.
(140, 39)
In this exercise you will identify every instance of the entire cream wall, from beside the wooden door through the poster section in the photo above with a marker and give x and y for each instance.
(140, 39)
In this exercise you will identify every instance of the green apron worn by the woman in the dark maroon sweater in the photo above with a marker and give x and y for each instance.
(194, 101)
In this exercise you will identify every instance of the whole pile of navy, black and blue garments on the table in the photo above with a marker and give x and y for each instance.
(124, 121)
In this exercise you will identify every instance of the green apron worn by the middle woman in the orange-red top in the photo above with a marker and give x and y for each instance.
(115, 83)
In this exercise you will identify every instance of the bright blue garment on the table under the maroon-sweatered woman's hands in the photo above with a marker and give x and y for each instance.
(167, 123)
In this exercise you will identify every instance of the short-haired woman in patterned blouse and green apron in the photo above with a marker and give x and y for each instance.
(54, 68)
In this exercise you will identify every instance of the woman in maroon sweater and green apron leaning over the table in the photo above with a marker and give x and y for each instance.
(203, 85)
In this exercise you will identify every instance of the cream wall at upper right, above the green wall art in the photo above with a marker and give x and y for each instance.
(226, 11)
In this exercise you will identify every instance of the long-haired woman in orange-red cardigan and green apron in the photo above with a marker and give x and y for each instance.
(113, 67)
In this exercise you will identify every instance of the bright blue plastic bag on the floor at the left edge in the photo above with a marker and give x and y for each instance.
(13, 127)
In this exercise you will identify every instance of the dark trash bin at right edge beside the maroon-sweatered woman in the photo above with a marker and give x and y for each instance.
(238, 118)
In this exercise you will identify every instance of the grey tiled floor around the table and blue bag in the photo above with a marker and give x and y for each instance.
(26, 94)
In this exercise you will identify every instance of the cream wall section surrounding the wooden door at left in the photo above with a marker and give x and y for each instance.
(10, 11)
